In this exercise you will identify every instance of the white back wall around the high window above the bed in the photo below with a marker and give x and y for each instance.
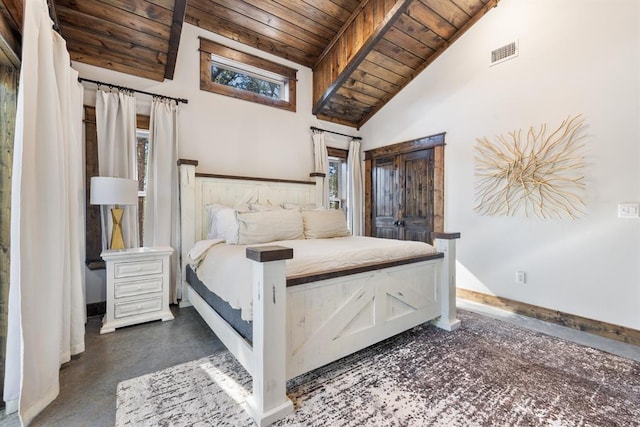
(226, 135)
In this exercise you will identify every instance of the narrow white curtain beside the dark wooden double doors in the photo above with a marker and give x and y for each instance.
(355, 189)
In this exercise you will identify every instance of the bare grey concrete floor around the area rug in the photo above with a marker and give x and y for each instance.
(88, 383)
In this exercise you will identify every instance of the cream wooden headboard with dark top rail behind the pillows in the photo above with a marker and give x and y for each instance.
(197, 190)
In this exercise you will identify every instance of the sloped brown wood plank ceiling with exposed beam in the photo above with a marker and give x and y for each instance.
(362, 52)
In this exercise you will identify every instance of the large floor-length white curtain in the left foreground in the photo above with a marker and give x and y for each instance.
(46, 290)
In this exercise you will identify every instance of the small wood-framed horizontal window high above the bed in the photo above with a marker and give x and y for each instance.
(230, 72)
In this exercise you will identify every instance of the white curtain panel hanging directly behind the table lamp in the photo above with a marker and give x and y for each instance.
(117, 157)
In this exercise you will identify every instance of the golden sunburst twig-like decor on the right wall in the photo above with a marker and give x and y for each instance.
(533, 173)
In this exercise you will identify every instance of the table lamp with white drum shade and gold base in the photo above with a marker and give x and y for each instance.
(114, 191)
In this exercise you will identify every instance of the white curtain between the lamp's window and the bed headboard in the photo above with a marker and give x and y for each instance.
(161, 209)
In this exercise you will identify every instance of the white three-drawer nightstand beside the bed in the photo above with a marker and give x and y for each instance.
(137, 286)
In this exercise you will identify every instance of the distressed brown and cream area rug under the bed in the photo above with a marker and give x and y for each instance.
(487, 373)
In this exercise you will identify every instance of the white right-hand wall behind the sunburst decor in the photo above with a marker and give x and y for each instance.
(576, 56)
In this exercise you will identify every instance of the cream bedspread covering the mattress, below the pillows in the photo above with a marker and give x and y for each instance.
(225, 270)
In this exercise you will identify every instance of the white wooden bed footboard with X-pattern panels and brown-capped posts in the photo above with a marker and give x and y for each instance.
(359, 312)
